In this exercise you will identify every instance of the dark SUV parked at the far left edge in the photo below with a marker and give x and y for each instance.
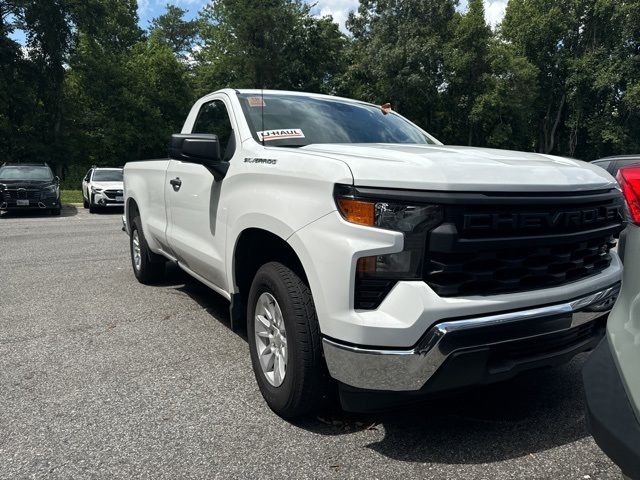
(29, 187)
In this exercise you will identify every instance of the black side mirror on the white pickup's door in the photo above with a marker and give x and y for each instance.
(200, 148)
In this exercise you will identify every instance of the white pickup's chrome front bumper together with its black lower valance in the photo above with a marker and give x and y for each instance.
(483, 349)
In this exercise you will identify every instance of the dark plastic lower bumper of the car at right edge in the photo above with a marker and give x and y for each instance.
(610, 416)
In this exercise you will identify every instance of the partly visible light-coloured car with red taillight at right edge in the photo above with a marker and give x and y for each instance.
(612, 373)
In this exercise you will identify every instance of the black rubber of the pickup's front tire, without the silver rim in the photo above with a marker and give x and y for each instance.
(306, 384)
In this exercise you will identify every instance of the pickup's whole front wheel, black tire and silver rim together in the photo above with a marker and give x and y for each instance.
(284, 342)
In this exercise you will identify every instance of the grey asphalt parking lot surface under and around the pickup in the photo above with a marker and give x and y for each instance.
(101, 377)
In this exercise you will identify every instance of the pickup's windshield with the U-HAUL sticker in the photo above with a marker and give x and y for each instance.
(295, 120)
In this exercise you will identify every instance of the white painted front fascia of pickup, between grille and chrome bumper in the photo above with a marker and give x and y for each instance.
(329, 249)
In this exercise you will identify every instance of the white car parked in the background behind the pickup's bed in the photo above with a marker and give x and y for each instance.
(103, 188)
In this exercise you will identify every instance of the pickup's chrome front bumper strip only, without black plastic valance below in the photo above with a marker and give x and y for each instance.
(410, 369)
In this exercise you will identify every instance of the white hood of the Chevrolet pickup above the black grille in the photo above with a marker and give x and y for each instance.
(453, 168)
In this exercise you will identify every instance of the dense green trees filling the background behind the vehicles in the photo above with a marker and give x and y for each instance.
(89, 86)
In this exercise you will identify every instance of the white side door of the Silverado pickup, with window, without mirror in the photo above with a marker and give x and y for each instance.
(197, 218)
